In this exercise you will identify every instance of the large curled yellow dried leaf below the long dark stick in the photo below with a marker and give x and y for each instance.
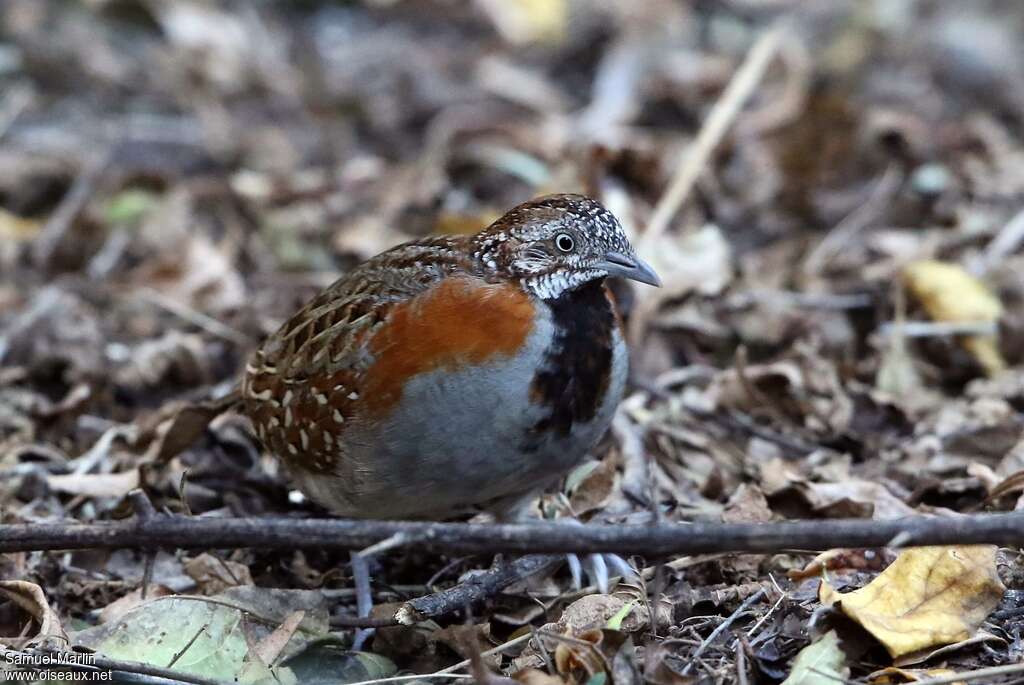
(929, 596)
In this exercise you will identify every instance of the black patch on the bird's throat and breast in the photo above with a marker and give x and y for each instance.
(575, 379)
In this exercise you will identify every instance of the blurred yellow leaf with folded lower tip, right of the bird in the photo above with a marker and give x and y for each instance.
(951, 294)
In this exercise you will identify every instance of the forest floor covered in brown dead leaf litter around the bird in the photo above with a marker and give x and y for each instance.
(840, 333)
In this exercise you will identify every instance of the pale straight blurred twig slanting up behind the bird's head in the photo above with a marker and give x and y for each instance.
(721, 117)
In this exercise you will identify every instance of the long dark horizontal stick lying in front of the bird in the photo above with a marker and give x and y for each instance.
(661, 540)
